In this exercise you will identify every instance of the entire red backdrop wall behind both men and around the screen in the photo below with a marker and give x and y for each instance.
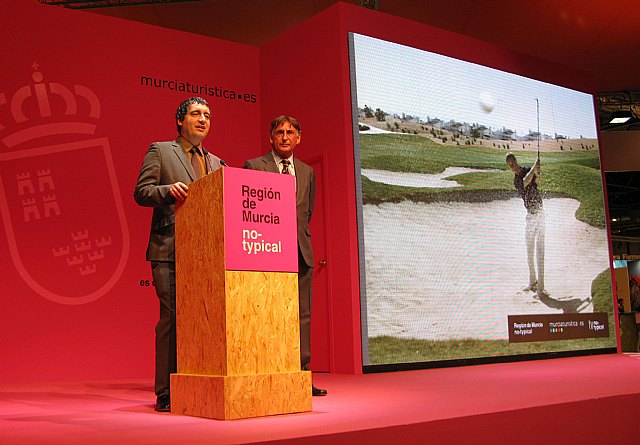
(304, 73)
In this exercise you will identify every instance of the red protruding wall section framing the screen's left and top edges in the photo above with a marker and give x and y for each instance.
(305, 73)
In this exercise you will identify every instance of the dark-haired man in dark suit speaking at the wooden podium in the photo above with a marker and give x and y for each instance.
(167, 170)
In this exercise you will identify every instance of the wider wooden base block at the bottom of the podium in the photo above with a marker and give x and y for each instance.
(240, 396)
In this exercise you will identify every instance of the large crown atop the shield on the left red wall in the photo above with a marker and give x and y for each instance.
(41, 109)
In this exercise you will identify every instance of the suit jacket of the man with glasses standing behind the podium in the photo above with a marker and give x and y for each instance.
(305, 196)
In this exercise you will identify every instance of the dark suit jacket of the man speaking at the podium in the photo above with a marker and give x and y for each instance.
(164, 164)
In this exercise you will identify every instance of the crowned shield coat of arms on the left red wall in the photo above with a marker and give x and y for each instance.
(61, 207)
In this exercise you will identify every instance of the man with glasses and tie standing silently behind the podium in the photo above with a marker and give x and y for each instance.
(285, 135)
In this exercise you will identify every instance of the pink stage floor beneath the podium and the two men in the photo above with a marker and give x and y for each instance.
(578, 400)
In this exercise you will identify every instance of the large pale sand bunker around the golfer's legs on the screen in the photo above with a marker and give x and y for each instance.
(456, 270)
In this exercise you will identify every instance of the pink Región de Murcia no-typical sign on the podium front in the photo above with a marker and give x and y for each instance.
(260, 221)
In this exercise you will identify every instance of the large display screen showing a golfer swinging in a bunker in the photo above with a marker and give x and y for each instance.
(481, 213)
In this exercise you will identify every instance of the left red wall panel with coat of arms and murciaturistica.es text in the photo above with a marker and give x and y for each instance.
(76, 118)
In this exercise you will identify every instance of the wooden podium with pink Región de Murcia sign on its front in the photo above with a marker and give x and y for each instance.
(237, 331)
